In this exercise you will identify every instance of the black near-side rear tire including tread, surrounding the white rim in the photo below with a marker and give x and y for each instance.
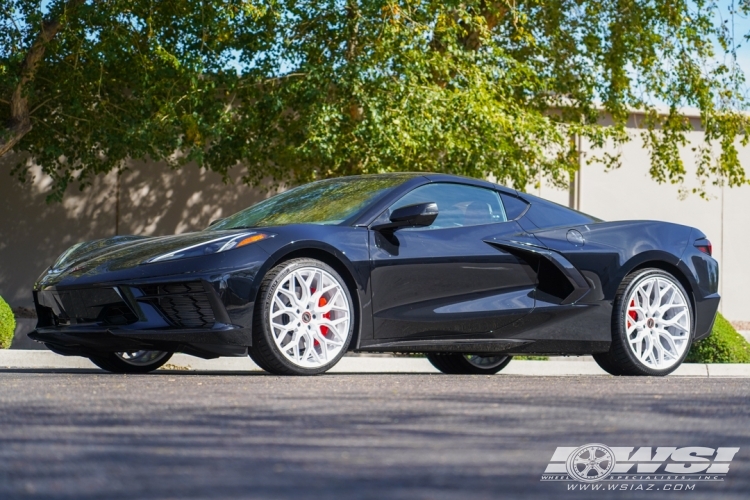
(621, 360)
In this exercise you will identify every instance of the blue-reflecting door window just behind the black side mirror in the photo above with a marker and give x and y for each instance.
(459, 205)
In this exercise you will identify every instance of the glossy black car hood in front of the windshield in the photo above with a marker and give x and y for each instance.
(120, 252)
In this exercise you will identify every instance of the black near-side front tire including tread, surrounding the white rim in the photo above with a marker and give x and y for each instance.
(264, 351)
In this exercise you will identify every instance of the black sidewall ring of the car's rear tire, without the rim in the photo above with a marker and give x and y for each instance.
(620, 311)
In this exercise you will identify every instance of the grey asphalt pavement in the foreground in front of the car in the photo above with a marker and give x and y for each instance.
(84, 434)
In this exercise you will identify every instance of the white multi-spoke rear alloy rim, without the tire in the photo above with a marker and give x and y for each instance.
(657, 323)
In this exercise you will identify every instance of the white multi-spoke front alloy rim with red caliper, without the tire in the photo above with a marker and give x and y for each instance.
(309, 317)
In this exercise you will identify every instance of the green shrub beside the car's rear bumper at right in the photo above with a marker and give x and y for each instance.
(723, 345)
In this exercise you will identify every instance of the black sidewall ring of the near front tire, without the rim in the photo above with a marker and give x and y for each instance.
(279, 273)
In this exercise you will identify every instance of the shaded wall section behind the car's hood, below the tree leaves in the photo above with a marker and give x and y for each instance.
(154, 200)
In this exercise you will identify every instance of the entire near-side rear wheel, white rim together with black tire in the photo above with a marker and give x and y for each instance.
(652, 325)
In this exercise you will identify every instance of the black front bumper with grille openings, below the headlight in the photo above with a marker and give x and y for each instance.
(157, 314)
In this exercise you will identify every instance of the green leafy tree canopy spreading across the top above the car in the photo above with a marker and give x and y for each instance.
(296, 90)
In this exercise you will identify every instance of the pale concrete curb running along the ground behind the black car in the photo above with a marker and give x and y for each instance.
(47, 360)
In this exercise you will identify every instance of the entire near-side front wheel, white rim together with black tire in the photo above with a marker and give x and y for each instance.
(304, 320)
